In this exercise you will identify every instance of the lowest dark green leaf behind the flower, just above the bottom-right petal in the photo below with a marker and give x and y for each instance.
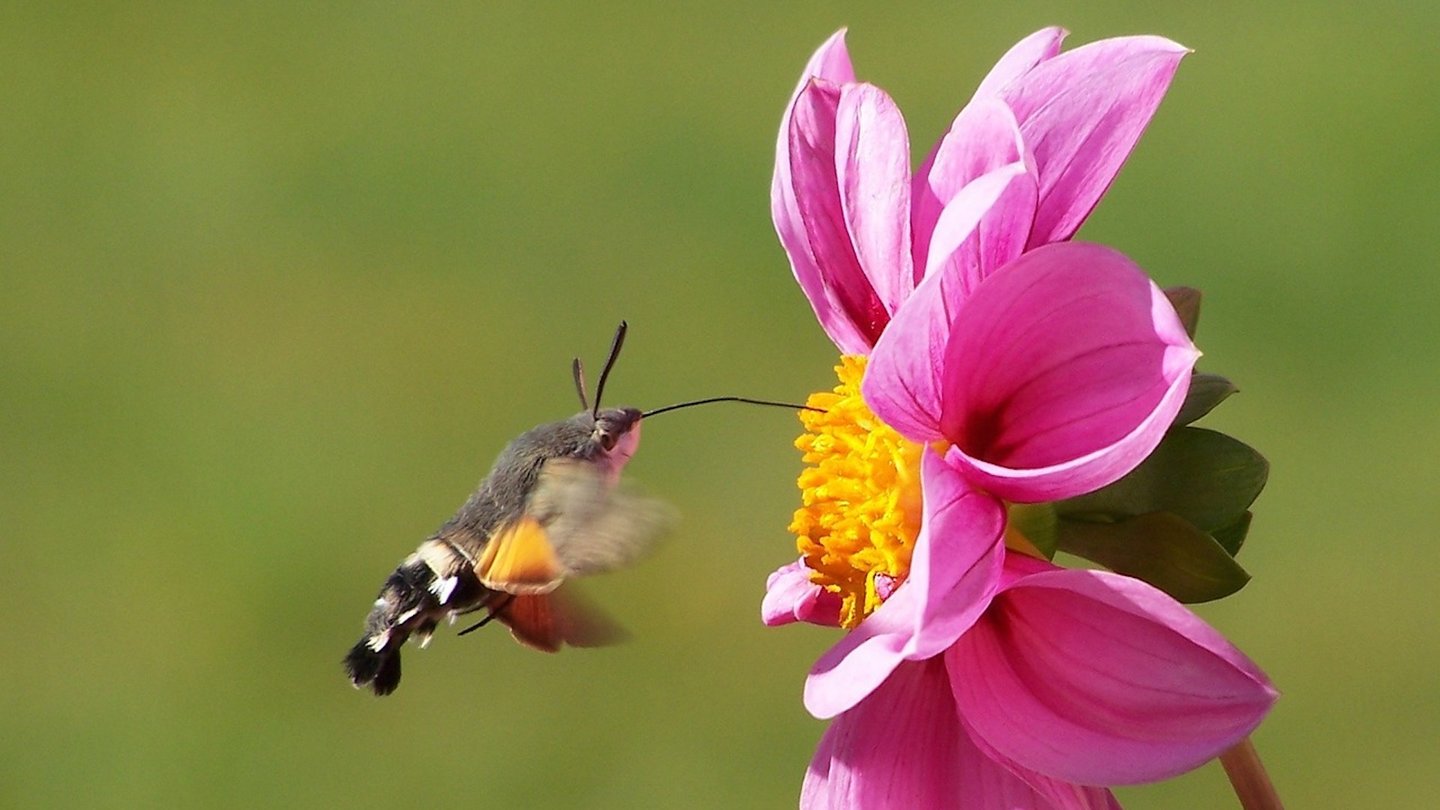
(1163, 550)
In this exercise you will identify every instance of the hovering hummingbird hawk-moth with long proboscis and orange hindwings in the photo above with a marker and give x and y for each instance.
(551, 509)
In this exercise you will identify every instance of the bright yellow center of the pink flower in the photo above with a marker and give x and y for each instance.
(862, 501)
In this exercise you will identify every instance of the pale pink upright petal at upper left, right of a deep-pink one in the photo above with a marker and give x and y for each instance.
(873, 169)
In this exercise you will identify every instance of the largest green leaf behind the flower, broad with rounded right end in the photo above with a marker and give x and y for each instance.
(1199, 475)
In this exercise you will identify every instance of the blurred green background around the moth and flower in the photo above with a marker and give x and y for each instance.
(277, 282)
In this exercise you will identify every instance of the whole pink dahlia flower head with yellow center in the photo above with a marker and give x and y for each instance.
(987, 370)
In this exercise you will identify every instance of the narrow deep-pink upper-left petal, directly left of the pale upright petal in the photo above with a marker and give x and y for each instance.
(850, 303)
